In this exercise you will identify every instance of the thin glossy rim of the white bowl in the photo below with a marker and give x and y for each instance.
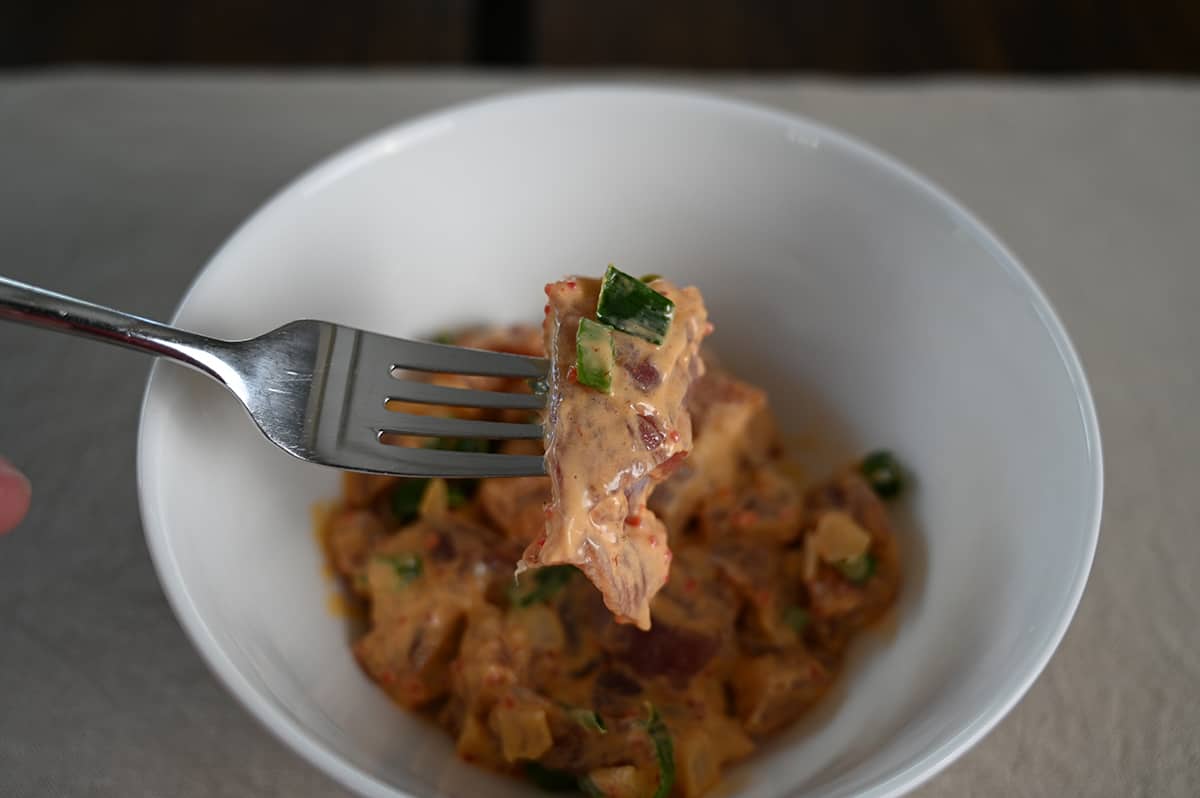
(286, 728)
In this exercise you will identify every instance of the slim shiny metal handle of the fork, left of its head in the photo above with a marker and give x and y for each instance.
(52, 311)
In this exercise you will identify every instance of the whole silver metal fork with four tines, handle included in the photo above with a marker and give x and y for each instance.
(320, 391)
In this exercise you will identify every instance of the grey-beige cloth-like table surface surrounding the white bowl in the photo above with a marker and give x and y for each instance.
(119, 187)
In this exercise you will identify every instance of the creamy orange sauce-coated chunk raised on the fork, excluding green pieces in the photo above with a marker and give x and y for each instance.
(605, 453)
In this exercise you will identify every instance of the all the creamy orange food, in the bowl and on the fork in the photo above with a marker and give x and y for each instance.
(544, 676)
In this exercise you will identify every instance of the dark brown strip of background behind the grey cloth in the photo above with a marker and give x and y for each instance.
(845, 37)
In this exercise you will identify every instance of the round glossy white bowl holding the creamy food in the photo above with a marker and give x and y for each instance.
(829, 269)
